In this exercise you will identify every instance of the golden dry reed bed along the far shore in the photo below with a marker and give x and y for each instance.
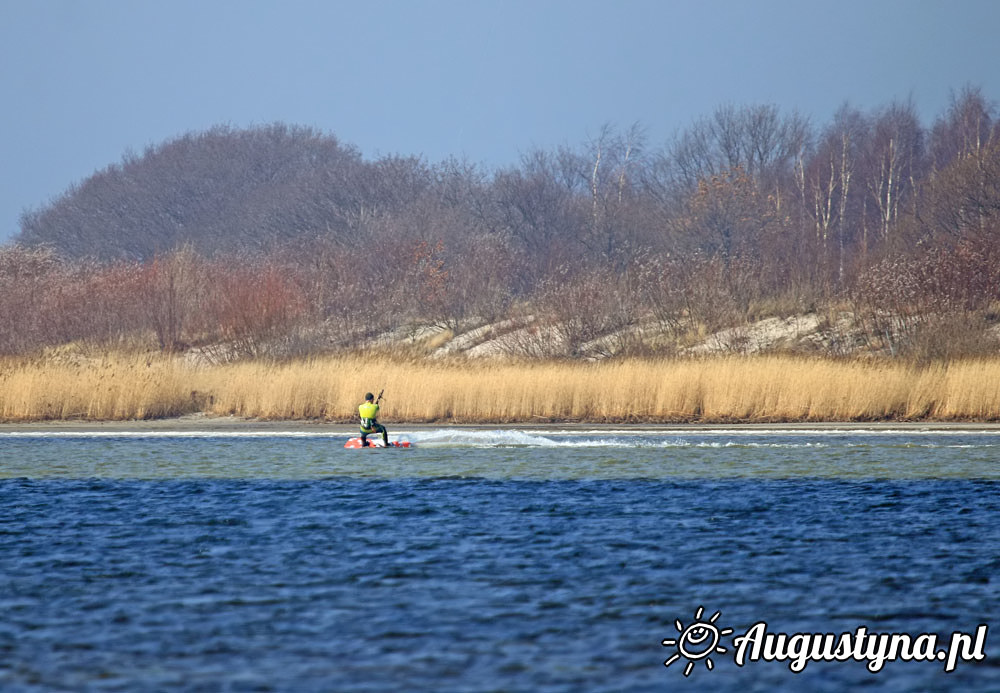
(757, 389)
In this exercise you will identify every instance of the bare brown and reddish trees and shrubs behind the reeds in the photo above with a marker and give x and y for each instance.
(283, 235)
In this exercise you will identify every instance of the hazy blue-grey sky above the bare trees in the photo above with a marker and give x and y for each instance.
(83, 81)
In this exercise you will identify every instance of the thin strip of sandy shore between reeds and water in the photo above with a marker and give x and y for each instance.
(194, 423)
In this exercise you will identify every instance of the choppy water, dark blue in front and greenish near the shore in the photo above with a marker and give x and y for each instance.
(486, 560)
